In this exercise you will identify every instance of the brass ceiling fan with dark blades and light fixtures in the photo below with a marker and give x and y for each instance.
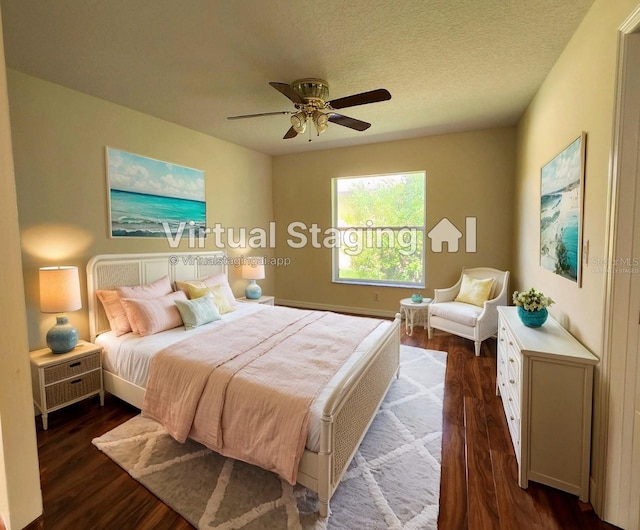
(309, 96)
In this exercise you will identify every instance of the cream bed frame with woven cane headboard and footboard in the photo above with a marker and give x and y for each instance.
(343, 410)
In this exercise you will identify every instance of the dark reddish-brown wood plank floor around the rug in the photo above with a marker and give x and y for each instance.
(83, 489)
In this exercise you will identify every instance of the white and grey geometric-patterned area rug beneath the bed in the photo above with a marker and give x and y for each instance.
(392, 482)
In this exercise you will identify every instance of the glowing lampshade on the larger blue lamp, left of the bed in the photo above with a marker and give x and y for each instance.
(59, 289)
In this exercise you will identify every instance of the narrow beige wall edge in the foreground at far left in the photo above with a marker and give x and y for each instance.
(20, 496)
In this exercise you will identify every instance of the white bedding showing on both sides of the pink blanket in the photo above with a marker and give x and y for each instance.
(129, 356)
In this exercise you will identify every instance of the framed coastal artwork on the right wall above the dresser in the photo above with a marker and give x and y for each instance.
(561, 201)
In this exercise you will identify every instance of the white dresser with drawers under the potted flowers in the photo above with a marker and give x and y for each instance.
(545, 379)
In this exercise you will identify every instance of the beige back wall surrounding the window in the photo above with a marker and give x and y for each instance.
(468, 175)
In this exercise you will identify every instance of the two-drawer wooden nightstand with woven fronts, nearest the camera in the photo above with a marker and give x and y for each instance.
(60, 379)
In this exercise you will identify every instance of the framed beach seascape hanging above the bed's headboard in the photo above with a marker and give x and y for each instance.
(151, 198)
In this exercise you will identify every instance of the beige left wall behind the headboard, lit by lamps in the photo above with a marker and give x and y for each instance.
(59, 138)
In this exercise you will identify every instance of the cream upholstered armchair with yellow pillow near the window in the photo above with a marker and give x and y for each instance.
(469, 308)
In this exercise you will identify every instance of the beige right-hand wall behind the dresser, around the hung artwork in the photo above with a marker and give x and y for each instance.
(577, 95)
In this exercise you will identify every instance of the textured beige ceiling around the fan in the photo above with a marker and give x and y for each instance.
(450, 65)
